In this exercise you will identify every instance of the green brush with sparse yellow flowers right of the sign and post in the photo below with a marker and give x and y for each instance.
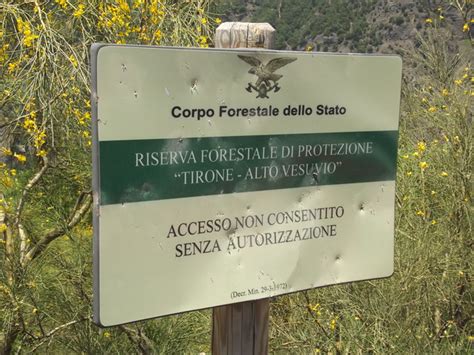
(427, 305)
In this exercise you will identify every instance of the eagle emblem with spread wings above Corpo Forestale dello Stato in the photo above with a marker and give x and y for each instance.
(267, 79)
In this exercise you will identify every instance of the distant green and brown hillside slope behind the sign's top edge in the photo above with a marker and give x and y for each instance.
(362, 26)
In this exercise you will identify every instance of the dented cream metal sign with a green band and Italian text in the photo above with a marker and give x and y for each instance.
(225, 176)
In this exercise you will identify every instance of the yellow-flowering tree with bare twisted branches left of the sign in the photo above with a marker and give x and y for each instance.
(45, 193)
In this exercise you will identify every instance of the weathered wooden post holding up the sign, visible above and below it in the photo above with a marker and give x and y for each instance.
(242, 328)
